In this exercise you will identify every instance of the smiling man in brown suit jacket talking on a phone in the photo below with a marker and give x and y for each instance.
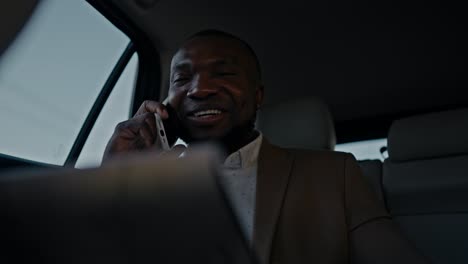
(294, 206)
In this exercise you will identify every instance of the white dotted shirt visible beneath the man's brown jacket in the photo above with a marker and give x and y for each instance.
(239, 180)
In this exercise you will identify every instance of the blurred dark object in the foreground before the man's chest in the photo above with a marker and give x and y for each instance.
(141, 208)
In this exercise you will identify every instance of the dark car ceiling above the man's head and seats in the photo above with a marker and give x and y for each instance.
(368, 61)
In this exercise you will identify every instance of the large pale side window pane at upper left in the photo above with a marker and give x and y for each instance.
(50, 77)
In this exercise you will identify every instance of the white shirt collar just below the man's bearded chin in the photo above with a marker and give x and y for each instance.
(246, 156)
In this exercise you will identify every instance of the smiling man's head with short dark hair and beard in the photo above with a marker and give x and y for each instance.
(214, 88)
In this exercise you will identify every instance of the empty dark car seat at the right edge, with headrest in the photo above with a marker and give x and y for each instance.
(425, 181)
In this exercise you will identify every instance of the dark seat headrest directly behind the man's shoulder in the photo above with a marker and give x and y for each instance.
(304, 123)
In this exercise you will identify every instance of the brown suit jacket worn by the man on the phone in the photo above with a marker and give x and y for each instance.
(316, 207)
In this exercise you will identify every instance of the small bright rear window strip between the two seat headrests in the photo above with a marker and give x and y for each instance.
(368, 149)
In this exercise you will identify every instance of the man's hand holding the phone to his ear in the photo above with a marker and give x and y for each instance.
(138, 133)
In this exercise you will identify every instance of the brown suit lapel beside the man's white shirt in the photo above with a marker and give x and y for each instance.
(274, 168)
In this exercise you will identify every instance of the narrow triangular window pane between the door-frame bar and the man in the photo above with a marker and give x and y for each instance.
(115, 110)
